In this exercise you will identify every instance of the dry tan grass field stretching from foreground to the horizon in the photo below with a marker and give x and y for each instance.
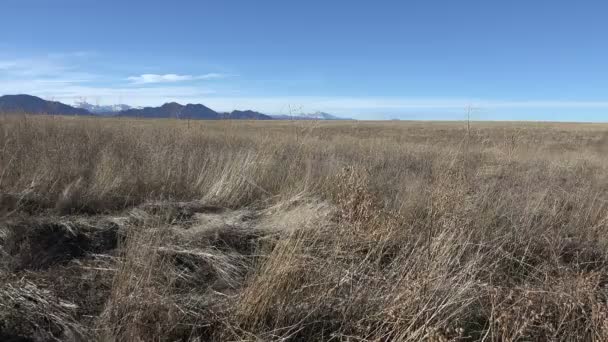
(167, 230)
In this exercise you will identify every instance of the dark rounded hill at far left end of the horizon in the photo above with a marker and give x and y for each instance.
(34, 105)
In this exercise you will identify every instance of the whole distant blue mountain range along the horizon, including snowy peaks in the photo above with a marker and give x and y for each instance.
(34, 105)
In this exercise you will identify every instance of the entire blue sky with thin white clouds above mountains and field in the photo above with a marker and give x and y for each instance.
(427, 59)
